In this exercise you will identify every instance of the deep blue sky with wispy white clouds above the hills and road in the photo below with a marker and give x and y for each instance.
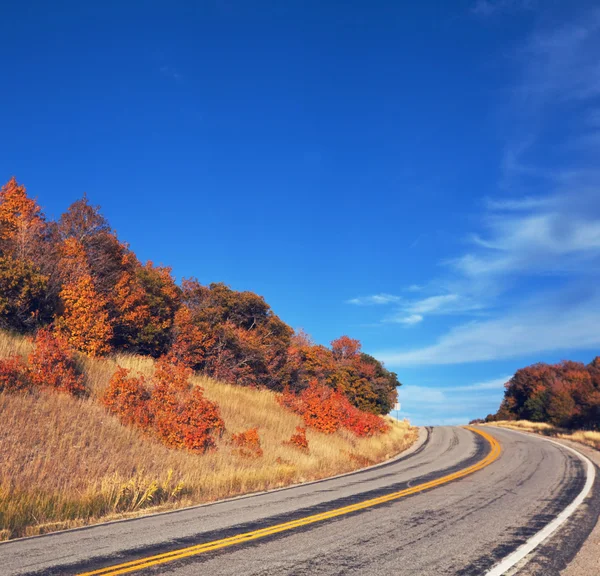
(423, 176)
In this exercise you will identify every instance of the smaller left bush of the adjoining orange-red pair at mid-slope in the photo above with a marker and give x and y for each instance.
(128, 398)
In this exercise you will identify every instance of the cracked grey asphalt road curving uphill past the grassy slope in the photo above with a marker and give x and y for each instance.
(464, 524)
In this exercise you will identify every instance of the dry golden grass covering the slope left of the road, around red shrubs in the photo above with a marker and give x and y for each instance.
(66, 462)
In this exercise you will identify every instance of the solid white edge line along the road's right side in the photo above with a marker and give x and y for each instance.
(549, 529)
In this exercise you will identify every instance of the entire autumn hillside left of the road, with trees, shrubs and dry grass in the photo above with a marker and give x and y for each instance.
(122, 391)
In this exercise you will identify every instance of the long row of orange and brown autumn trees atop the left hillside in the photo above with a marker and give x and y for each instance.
(75, 277)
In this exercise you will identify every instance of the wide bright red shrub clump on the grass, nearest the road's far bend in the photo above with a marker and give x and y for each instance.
(327, 410)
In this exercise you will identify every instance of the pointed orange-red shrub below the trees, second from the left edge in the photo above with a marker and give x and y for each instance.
(52, 365)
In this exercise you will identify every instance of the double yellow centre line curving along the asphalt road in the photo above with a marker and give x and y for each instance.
(149, 561)
